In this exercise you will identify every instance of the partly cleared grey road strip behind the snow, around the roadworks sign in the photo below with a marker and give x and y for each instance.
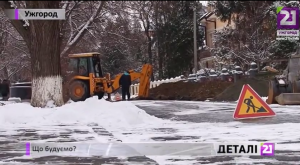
(200, 112)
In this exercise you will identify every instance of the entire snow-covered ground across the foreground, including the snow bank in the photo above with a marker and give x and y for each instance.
(96, 121)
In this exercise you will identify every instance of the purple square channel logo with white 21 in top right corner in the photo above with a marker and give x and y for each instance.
(287, 18)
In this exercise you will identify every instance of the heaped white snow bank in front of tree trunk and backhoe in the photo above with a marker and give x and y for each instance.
(120, 114)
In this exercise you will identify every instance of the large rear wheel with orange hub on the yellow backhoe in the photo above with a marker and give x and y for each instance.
(78, 90)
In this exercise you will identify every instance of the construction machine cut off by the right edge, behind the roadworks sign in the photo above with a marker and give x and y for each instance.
(285, 89)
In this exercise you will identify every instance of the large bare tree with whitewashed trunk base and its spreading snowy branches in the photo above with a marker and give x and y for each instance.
(45, 59)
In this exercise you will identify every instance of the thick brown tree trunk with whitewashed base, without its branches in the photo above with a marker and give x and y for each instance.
(44, 48)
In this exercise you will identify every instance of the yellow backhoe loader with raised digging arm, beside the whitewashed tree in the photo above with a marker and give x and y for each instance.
(88, 79)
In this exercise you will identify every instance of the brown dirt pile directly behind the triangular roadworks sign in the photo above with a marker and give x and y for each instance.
(232, 93)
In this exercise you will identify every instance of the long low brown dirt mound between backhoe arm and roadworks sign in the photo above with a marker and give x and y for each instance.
(188, 90)
